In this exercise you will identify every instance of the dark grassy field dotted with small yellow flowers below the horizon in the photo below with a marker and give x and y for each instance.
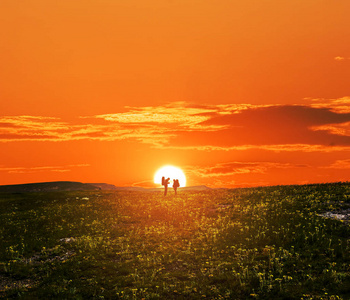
(256, 243)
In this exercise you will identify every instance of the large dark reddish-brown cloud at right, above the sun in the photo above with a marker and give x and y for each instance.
(269, 126)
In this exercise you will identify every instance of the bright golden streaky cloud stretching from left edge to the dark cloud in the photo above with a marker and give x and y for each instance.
(152, 125)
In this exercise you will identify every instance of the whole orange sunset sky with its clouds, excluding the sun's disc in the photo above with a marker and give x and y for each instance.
(236, 93)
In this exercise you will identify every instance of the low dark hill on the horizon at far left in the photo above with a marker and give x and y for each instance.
(47, 187)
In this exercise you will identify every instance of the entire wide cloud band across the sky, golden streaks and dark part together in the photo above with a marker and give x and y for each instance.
(321, 125)
